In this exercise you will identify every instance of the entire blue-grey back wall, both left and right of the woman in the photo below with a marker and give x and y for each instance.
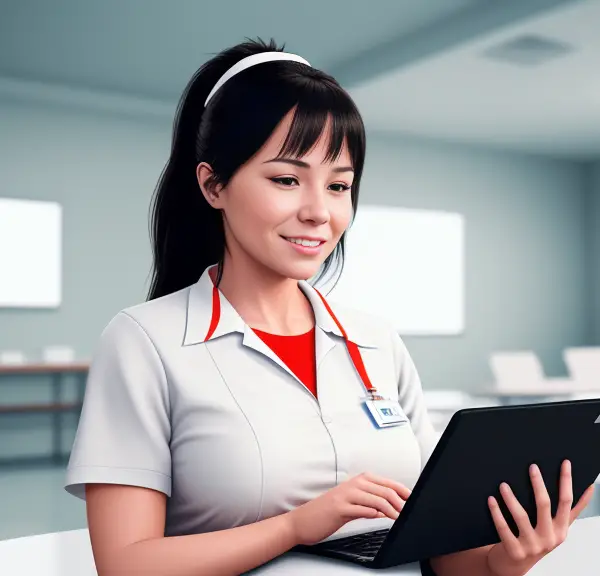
(525, 241)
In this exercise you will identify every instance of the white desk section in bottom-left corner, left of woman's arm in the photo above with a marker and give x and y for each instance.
(56, 554)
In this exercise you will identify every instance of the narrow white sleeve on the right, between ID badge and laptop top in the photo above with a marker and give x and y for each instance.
(410, 396)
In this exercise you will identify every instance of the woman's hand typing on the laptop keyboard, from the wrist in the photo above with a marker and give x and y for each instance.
(364, 496)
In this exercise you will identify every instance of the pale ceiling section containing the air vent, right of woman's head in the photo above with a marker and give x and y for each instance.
(460, 95)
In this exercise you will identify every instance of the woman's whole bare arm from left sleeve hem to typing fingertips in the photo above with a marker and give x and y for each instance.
(127, 529)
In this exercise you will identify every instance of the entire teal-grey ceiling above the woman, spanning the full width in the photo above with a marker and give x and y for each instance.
(414, 67)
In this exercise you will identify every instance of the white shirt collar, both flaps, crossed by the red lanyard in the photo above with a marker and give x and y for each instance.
(207, 320)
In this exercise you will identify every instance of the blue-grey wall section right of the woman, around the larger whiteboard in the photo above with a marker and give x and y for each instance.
(525, 250)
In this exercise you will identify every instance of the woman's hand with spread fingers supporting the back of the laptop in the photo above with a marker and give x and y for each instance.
(515, 556)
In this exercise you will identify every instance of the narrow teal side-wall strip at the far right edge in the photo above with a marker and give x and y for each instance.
(593, 227)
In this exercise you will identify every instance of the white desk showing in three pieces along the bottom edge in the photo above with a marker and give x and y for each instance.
(70, 554)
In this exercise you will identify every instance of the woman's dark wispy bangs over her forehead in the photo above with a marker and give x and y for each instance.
(326, 108)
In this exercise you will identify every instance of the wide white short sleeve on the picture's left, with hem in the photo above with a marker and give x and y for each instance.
(124, 429)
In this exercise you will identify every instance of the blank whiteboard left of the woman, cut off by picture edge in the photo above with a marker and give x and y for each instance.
(30, 254)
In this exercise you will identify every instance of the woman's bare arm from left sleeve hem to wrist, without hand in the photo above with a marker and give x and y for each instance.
(131, 541)
